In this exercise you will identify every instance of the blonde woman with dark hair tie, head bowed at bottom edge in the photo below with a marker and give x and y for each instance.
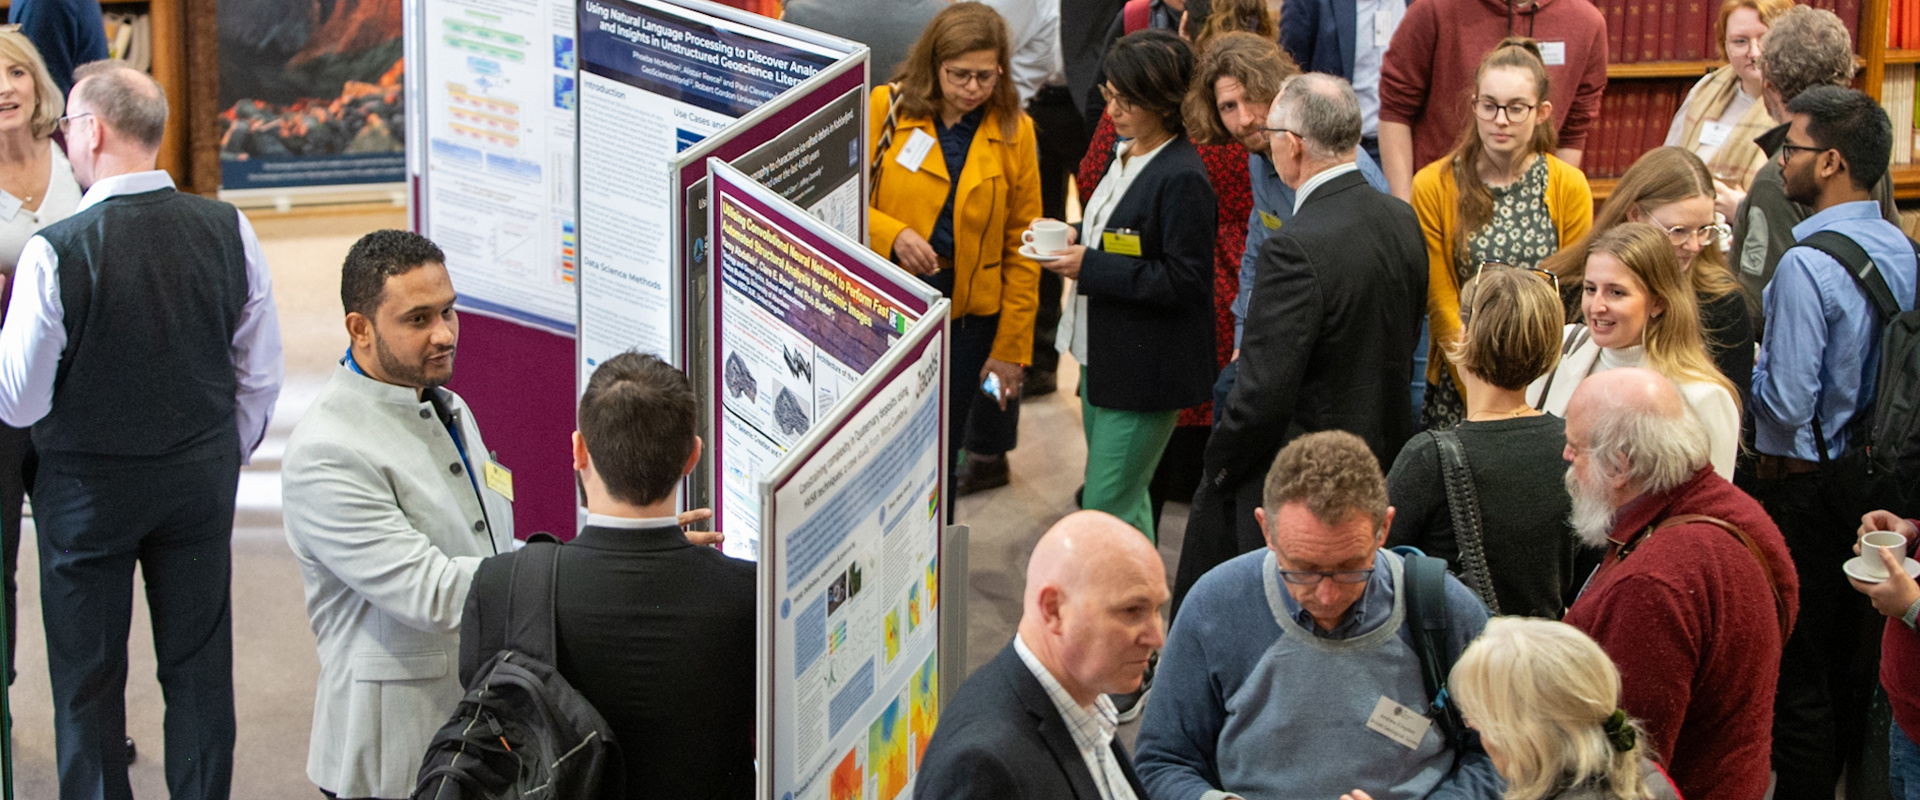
(1547, 701)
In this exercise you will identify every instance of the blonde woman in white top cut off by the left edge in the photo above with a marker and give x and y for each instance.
(37, 189)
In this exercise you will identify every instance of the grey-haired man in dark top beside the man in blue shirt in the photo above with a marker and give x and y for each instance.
(1806, 47)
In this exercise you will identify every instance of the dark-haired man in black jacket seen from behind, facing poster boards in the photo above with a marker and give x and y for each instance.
(654, 632)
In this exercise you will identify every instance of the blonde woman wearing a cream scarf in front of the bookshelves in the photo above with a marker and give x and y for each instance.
(1723, 114)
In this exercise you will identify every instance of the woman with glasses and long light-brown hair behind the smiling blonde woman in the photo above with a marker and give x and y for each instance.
(1673, 191)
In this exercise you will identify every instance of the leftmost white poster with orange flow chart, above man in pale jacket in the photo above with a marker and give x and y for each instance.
(494, 153)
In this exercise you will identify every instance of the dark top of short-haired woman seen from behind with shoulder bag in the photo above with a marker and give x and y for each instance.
(1520, 479)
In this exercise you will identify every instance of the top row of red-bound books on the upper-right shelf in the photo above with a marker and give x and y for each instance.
(1685, 30)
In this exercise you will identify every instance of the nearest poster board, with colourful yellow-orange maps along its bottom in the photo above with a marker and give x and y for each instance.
(852, 584)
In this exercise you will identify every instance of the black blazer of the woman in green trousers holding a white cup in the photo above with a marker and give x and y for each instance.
(1151, 318)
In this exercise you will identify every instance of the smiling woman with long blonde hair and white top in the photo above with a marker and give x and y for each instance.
(1639, 310)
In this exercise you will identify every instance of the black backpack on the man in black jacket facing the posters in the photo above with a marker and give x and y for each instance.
(521, 732)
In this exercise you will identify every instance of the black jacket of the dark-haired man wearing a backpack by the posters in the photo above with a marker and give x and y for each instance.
(660, 636)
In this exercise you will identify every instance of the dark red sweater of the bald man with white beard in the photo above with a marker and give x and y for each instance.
(1691, 623)
